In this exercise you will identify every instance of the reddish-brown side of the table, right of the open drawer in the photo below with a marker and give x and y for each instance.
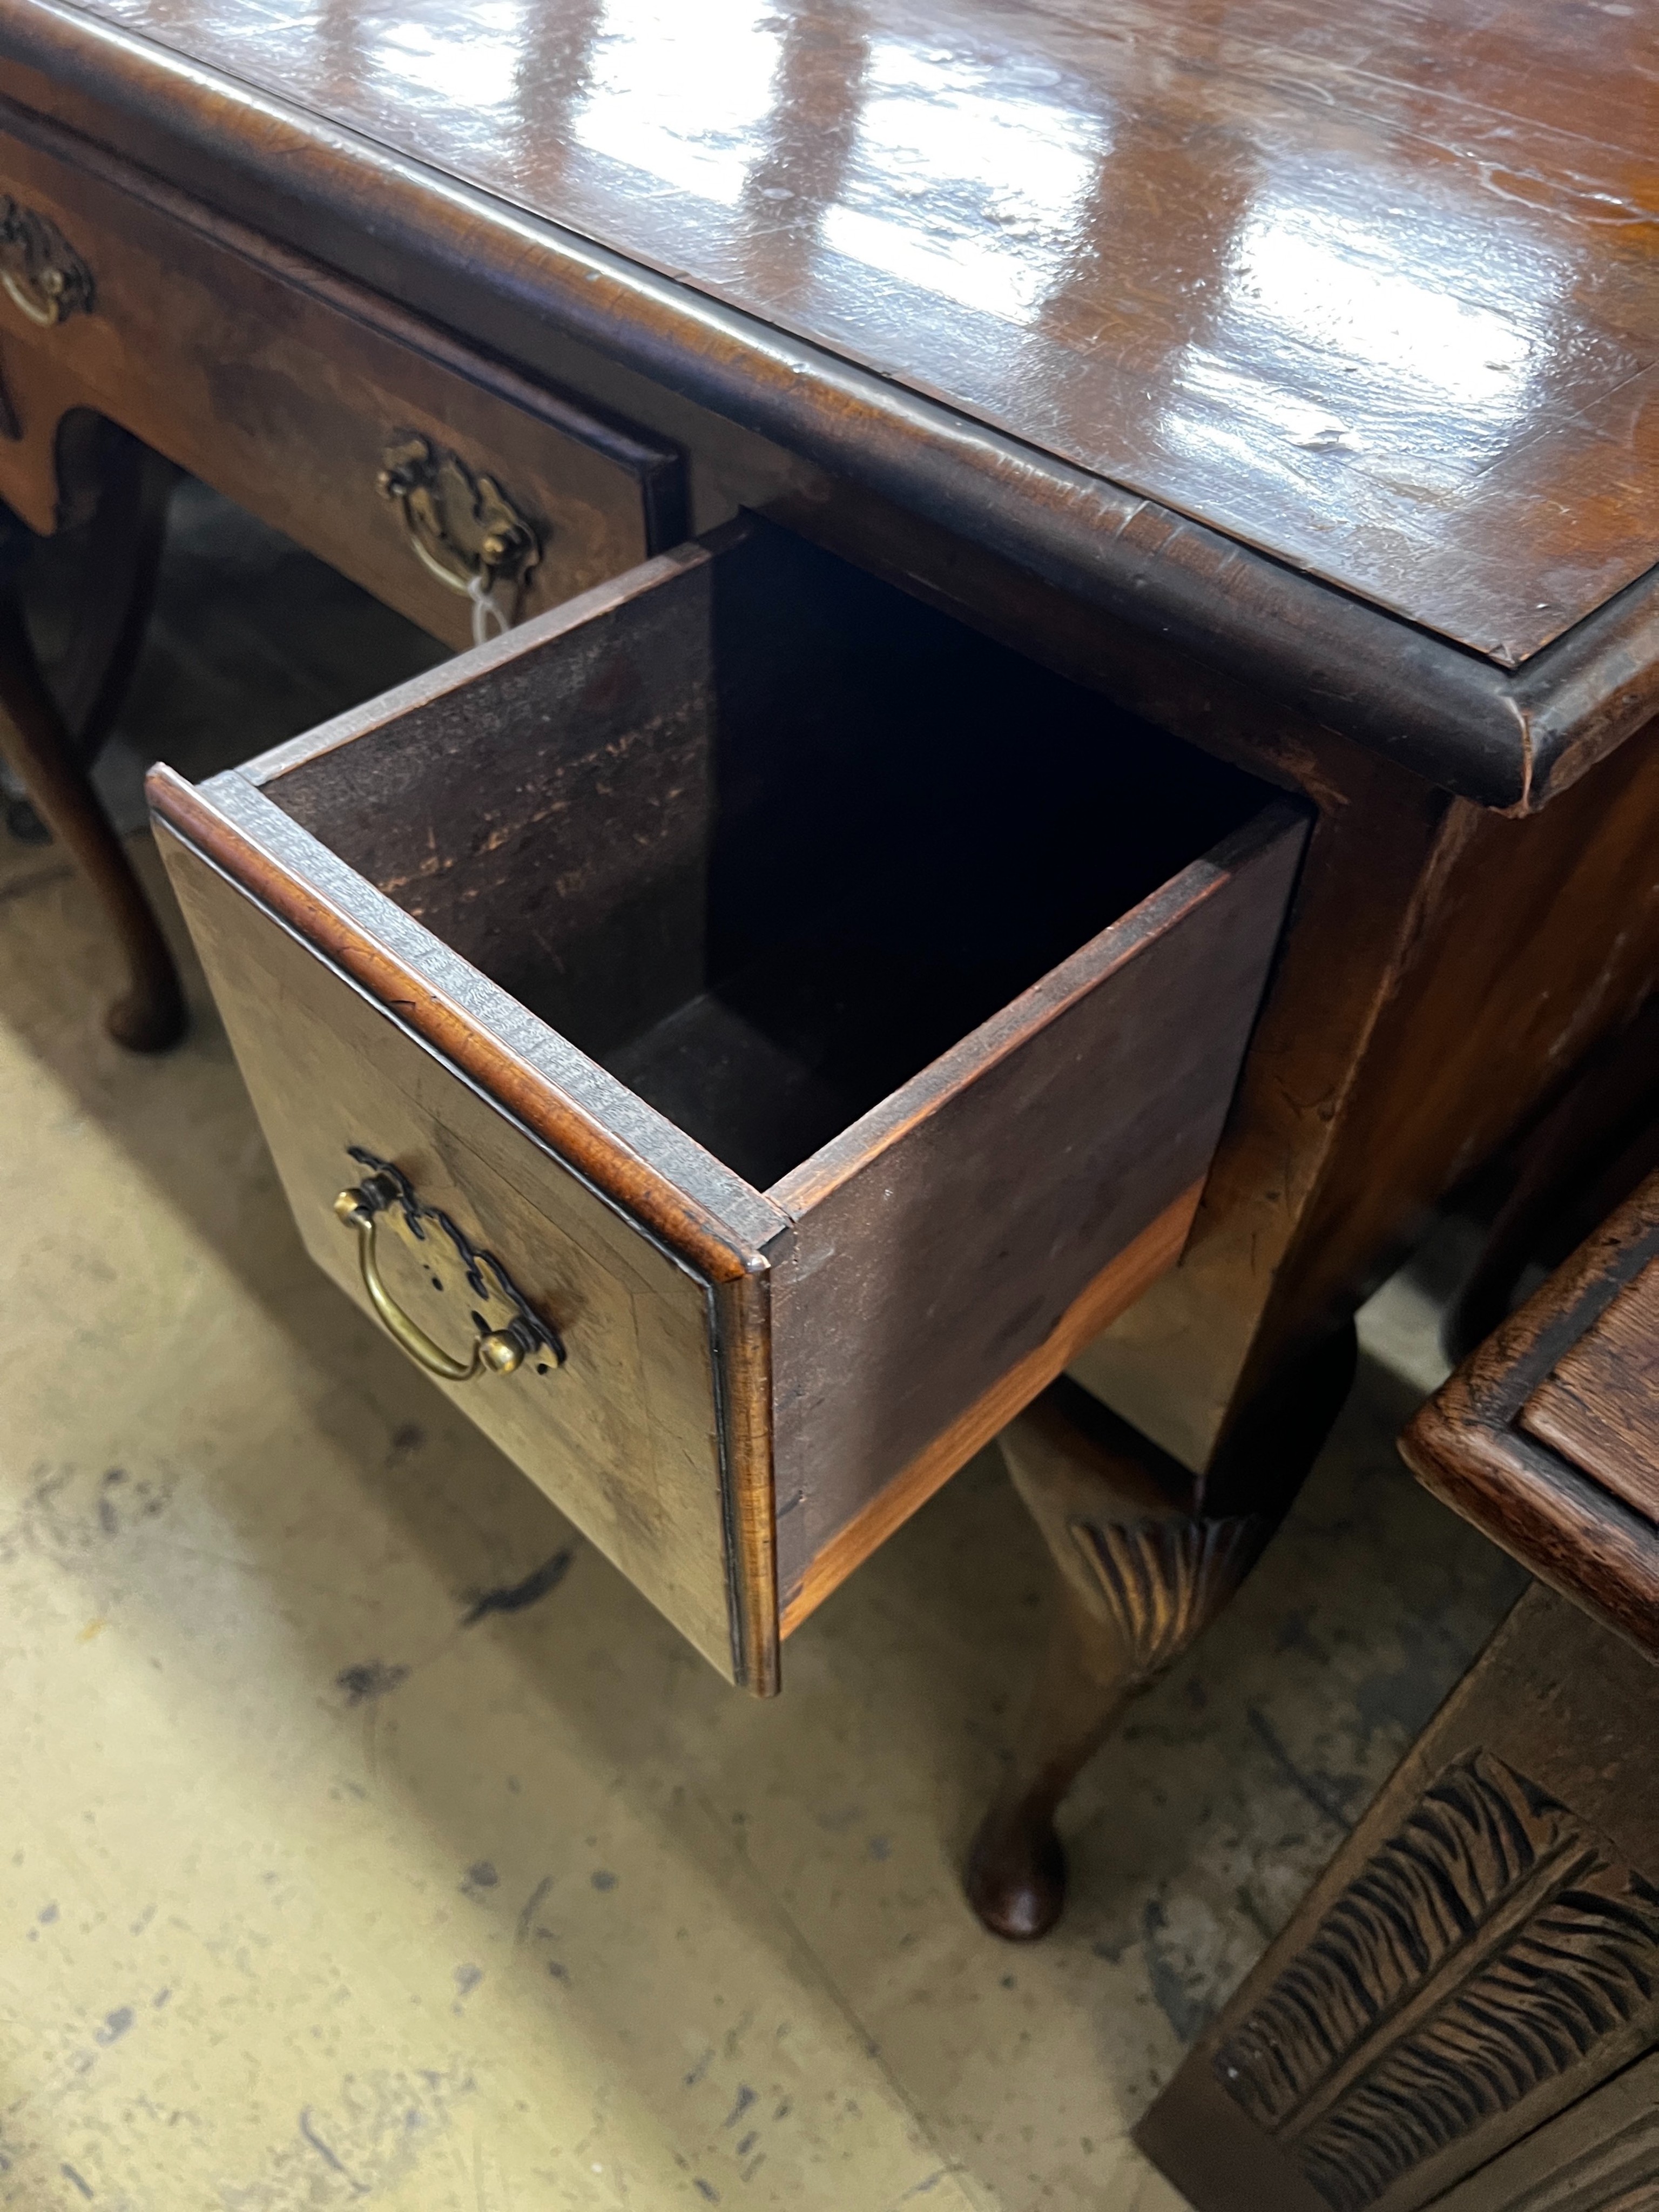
(1441, 977)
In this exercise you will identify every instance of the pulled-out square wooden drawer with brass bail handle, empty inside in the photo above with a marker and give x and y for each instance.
(764, 1019)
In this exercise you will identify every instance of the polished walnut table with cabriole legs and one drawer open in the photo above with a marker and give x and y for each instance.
(1056, 733)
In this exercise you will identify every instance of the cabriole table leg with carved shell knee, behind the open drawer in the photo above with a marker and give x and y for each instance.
(1145, 1556)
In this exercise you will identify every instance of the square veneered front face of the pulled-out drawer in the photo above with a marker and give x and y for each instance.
(623, 1434)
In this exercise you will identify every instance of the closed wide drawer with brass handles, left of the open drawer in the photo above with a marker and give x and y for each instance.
(382, 444)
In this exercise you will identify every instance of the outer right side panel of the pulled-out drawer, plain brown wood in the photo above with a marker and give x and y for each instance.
(948, 1238)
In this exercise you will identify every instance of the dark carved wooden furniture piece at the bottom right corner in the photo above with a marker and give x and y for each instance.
(1465, 2012)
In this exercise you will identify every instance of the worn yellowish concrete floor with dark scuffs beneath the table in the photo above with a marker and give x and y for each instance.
(326, 1881)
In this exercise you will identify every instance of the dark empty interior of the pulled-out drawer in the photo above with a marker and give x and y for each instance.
(764, 839)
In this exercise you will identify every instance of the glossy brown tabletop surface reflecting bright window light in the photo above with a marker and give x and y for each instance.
(1366, 284)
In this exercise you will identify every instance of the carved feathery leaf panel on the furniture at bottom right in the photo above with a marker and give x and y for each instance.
(1481, 1952)
